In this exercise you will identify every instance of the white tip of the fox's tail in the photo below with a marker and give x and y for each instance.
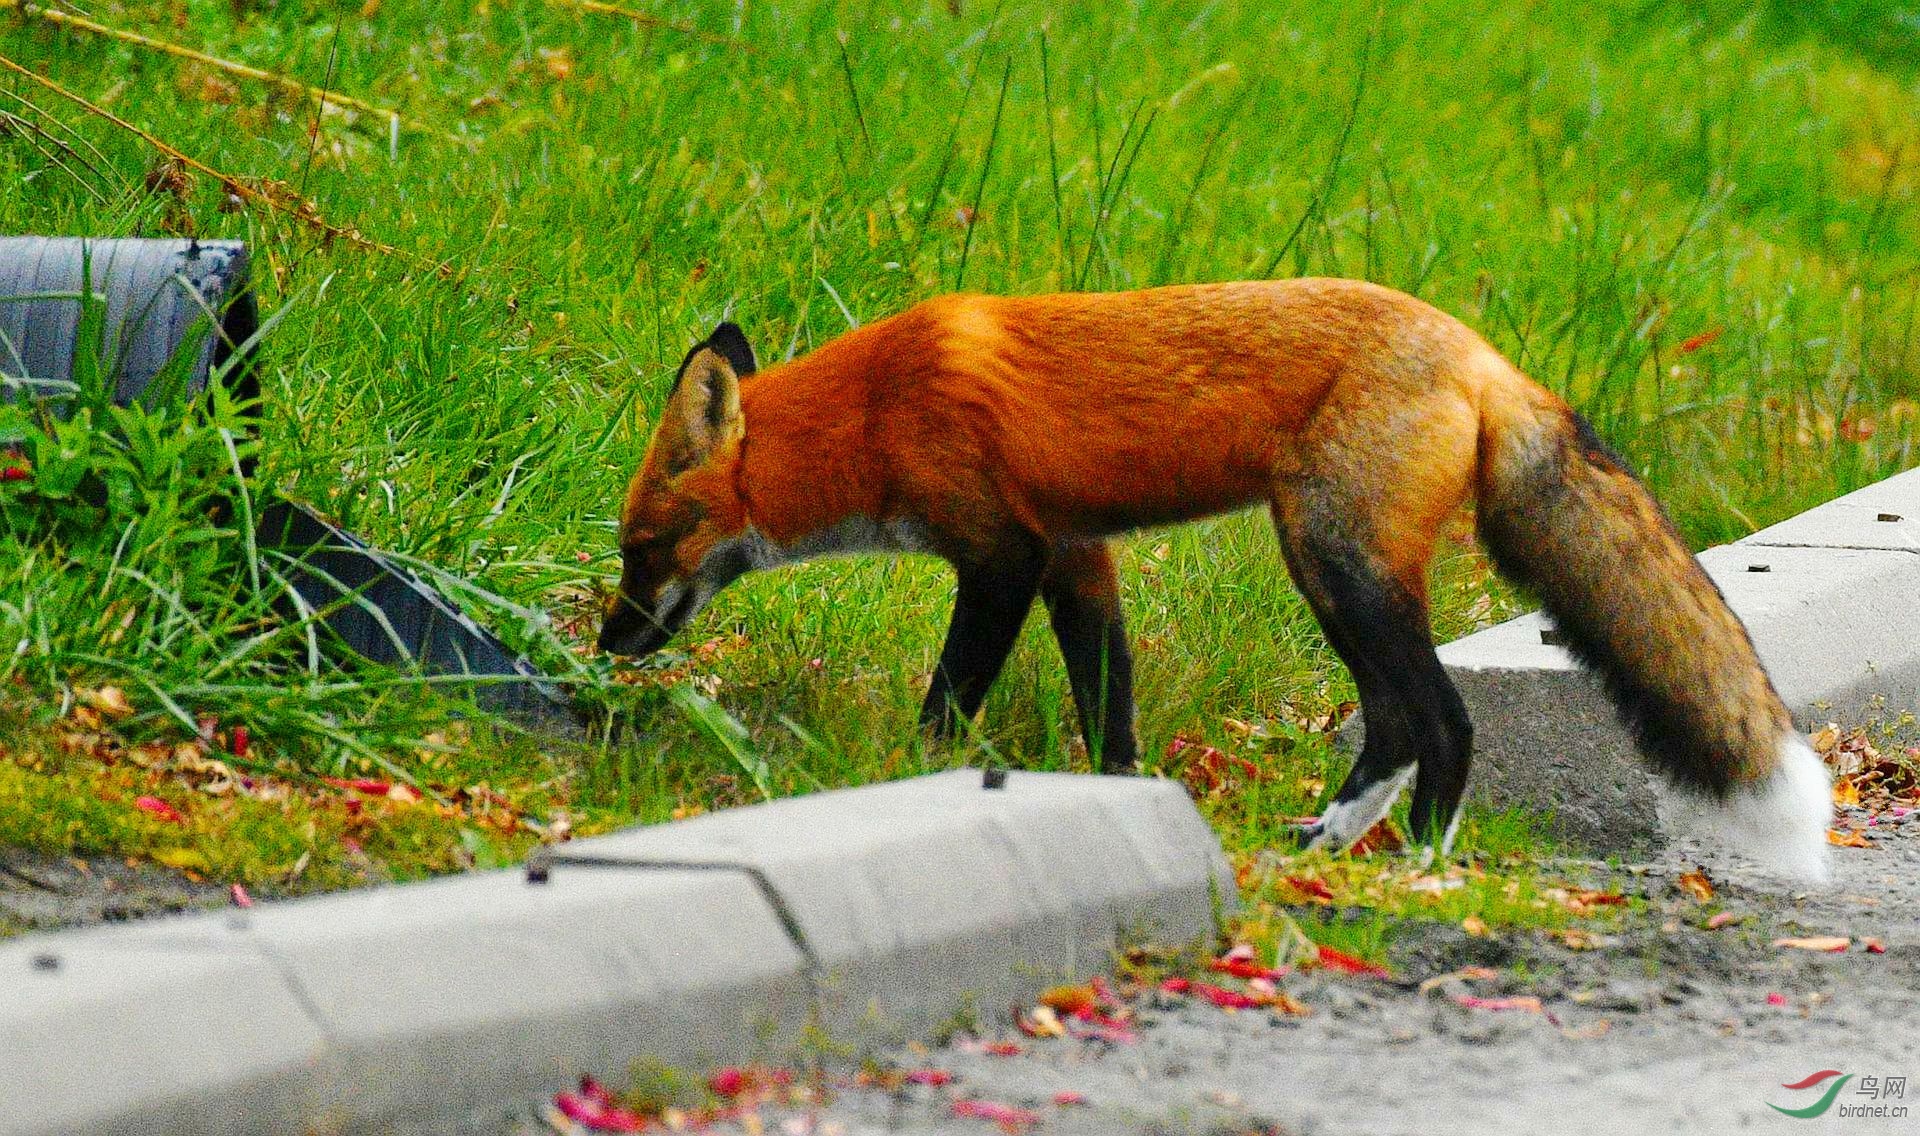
(1779, 822)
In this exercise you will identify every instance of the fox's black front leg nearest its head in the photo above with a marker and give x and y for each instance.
(990, 609)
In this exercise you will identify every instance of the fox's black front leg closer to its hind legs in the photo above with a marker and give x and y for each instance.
(1084, 602)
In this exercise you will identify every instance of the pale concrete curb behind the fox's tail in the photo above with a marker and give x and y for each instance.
(1829, 600)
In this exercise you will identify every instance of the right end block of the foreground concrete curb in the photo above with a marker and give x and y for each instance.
(932, 895)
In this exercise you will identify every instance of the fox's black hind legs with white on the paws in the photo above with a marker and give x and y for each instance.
(1416, 721)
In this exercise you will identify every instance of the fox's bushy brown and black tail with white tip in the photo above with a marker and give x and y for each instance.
(1564, 517)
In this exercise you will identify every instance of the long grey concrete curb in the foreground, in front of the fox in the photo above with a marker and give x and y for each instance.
(900, 911)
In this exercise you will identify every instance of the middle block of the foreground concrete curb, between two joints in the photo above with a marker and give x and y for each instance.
(487, 983)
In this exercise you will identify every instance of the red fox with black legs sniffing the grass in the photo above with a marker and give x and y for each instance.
(1013, 437)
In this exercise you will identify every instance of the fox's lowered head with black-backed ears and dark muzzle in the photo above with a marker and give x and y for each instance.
(684, 529)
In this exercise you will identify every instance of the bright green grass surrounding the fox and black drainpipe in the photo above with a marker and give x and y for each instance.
(1696, 222)
